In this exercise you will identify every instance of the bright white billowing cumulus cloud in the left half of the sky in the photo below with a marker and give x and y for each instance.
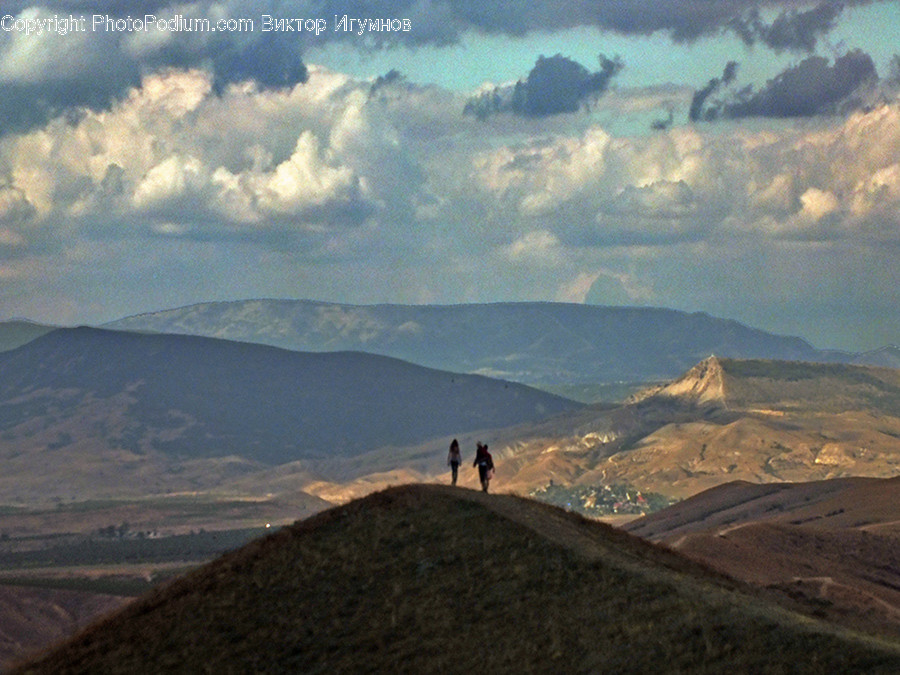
(176, 159)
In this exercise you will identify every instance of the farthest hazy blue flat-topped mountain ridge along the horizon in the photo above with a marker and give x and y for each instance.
(535, 343)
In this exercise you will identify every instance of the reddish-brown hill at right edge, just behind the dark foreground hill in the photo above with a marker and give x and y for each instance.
(834, 545)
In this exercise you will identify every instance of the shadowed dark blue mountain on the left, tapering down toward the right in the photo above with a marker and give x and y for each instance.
(80, 404)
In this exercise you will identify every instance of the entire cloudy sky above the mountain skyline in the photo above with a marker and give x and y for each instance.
(734, 157)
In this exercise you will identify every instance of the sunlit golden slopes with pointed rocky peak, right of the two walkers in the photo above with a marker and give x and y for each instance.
(723, 420)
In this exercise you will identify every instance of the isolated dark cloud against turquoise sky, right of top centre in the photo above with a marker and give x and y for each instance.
(555, 85)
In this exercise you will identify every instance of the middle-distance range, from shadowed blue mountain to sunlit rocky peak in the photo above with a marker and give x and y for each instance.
(107, 412)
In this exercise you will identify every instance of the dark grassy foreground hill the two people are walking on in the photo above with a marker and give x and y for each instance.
(432, 579)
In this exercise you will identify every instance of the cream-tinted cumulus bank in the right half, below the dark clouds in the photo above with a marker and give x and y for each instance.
(683, 185)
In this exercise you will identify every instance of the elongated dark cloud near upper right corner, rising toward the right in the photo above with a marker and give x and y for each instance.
(813, 87)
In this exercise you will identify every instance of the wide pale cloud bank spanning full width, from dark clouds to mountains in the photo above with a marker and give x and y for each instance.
(339, 189)
